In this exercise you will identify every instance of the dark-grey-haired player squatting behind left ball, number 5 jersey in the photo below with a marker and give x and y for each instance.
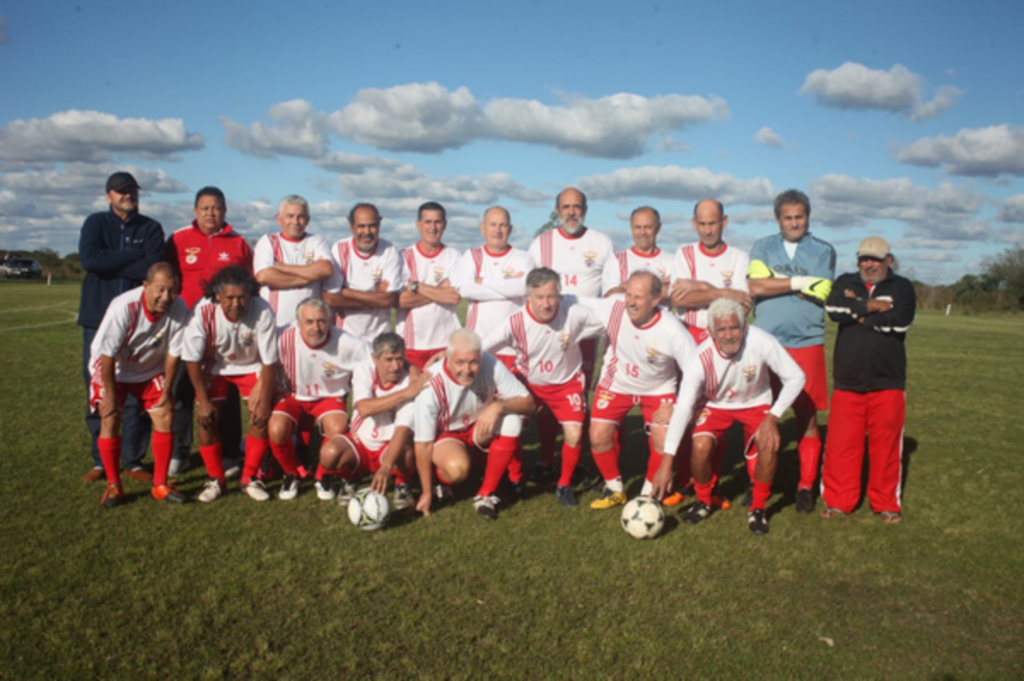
(380, 437)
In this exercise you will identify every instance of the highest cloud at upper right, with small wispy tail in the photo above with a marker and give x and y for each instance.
(856, 87)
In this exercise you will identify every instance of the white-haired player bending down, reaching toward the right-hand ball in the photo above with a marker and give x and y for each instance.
(733, 371)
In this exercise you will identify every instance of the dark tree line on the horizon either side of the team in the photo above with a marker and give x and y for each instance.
(999, 288)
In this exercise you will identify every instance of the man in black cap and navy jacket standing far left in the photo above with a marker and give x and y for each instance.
(117, 248)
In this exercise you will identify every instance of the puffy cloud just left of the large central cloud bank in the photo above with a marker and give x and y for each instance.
(298, 131)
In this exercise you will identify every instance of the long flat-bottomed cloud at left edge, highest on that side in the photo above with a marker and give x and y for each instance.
(93, 138)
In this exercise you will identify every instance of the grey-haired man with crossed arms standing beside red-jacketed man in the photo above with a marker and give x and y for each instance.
(294, 265)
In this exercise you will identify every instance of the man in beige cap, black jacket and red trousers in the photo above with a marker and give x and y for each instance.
(874, 308)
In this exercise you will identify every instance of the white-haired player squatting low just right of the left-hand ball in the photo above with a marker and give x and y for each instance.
(474, 402)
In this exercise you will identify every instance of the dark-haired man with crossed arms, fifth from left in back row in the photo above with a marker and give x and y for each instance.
(429, 307)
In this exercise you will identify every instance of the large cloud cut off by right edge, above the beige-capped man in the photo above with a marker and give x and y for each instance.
(978, 152)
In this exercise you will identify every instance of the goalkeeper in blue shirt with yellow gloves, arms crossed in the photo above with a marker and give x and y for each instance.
(790, 279)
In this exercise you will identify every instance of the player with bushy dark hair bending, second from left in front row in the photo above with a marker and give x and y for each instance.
(232, 339)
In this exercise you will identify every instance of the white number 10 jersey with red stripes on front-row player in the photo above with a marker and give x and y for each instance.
(547, 354)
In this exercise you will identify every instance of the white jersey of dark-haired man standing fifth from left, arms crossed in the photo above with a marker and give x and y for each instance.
(430, 327)
